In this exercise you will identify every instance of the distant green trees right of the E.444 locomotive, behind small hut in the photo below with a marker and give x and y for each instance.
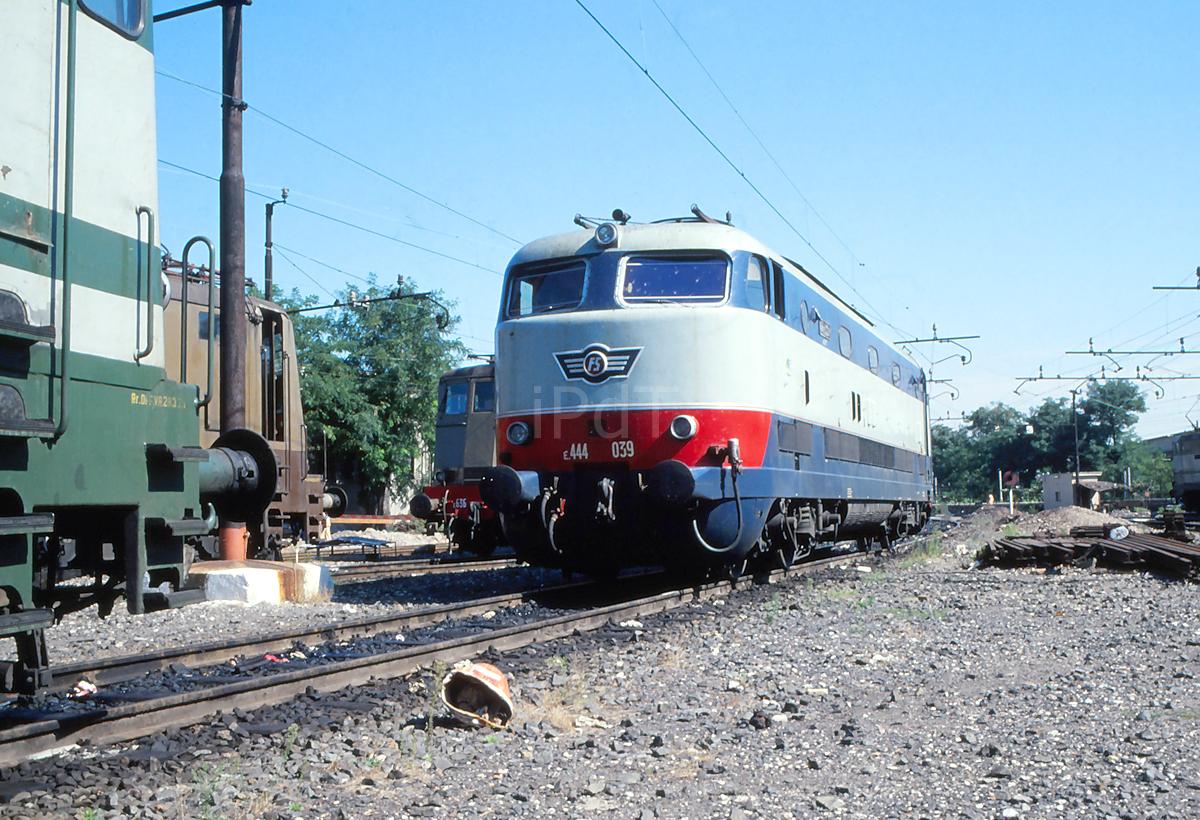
(1042, 441)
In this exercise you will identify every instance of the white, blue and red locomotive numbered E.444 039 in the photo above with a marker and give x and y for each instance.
(679, 393)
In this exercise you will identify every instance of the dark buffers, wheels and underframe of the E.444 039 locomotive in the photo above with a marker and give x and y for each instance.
(598, 522)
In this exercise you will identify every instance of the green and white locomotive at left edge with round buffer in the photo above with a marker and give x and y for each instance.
(103, 476)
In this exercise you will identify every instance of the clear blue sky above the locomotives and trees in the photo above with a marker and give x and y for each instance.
(1022, 171)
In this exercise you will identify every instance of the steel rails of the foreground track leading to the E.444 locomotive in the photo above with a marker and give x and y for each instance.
(46, 733)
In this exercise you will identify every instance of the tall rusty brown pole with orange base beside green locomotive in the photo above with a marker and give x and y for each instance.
(233, 253)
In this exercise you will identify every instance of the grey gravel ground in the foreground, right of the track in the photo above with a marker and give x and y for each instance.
(919, 689)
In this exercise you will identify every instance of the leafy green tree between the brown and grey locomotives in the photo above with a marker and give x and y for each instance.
(369, 375)
